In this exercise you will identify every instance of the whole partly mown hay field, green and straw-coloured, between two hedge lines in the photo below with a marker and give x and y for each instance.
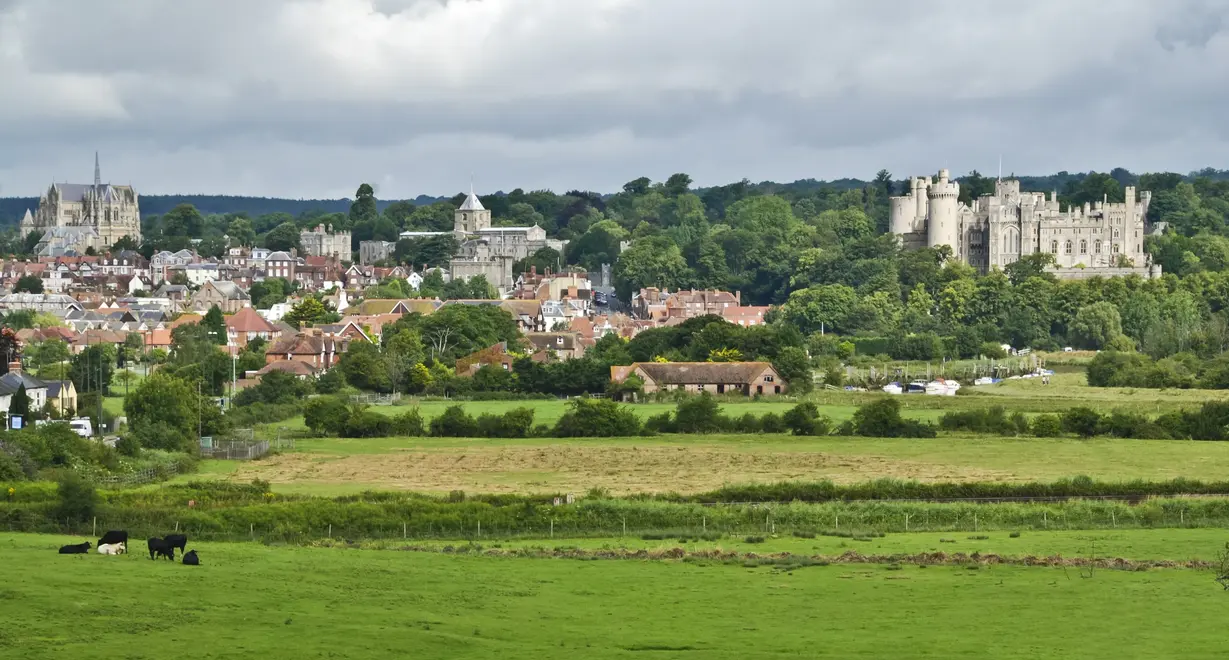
(689, 464)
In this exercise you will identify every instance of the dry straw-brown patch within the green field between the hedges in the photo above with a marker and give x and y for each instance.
(620, 470)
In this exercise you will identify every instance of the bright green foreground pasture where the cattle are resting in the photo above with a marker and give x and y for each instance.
(257, 602)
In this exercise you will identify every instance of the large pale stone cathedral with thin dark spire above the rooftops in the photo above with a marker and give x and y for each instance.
(77, 217)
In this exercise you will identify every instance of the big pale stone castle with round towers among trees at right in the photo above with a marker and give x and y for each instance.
(1102, 239)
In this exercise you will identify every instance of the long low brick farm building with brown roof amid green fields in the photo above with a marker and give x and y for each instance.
(718, 378)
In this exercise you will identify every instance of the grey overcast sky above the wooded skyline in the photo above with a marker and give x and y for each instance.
(312, 98)
